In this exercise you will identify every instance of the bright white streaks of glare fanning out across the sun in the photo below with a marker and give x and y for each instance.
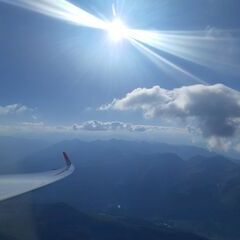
(197, 47)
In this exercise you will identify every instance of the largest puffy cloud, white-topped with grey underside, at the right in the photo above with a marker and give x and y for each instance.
(213, 111)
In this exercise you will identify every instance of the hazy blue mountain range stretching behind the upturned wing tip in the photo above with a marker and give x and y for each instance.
(188, 188)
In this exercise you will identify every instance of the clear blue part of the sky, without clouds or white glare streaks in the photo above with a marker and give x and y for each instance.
(61, 73)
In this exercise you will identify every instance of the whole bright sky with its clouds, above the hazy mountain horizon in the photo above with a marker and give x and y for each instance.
(175, 79)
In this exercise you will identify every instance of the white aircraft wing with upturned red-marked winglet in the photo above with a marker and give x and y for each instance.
(17, 184)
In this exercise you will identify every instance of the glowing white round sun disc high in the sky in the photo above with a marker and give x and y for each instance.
(117, 30)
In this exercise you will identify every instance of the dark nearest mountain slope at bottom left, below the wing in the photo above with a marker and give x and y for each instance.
(63, 222)
